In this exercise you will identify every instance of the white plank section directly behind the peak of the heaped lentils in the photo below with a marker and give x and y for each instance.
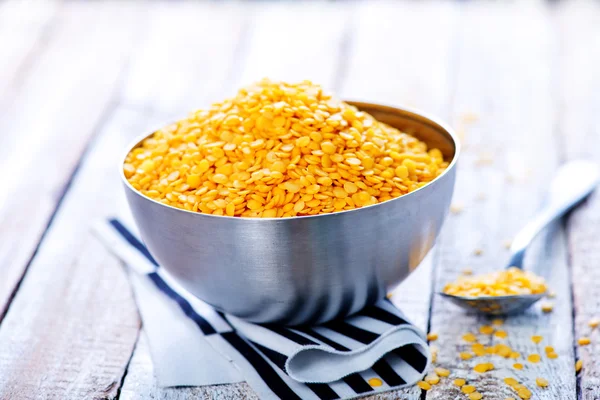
(295, 42)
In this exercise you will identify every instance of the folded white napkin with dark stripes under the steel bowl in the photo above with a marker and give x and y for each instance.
(192, 344)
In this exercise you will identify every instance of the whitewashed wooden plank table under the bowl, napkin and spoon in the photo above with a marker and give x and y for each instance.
(519, 82)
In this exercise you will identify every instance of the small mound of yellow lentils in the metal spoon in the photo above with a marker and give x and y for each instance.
(512, 281)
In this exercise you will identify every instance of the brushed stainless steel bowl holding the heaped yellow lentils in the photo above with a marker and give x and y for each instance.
(303, 269)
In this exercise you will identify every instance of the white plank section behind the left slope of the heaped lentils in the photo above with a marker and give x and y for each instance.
(178, 66)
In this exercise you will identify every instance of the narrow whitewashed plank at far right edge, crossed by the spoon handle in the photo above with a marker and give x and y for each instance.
(580, 136)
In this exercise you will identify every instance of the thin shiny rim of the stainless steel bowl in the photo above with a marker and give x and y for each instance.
(428, 118)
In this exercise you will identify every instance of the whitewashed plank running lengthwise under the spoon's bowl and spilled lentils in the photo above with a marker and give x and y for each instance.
(509, 155)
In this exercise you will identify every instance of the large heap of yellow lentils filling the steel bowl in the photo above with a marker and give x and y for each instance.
(279, 150)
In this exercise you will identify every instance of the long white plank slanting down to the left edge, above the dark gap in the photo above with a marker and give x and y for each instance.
(49, 121)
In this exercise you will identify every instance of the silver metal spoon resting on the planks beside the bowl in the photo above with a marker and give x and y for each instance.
(573, 182)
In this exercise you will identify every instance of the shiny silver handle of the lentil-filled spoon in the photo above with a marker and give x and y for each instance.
(572, 183)
